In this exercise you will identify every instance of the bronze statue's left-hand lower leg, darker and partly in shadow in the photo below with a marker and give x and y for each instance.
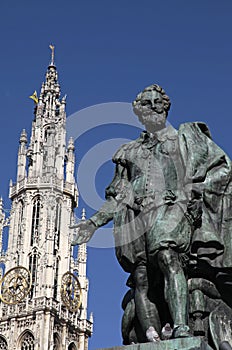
(146, 310)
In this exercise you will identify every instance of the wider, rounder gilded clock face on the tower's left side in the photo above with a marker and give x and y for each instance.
(15, 285)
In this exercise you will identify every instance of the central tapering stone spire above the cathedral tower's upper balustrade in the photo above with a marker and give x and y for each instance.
(46, 152)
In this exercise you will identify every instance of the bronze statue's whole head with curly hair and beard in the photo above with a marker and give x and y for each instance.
(152, 106)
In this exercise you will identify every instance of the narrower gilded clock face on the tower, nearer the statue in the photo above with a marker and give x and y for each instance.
(71, 294)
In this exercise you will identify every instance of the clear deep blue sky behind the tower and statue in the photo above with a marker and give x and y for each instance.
(107, 51)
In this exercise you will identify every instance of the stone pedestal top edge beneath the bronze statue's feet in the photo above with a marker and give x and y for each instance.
(192, 343)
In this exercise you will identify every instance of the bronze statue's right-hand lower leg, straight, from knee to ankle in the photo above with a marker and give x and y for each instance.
(176, 289)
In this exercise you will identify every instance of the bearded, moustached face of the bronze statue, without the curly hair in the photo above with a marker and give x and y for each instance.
(150, 110)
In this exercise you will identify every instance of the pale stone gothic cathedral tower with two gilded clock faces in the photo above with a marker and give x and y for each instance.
(44, 290)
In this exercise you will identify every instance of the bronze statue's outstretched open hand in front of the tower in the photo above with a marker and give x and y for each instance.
(85, 231)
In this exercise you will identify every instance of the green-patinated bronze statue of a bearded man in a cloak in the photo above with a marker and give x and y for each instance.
(171, 203)
